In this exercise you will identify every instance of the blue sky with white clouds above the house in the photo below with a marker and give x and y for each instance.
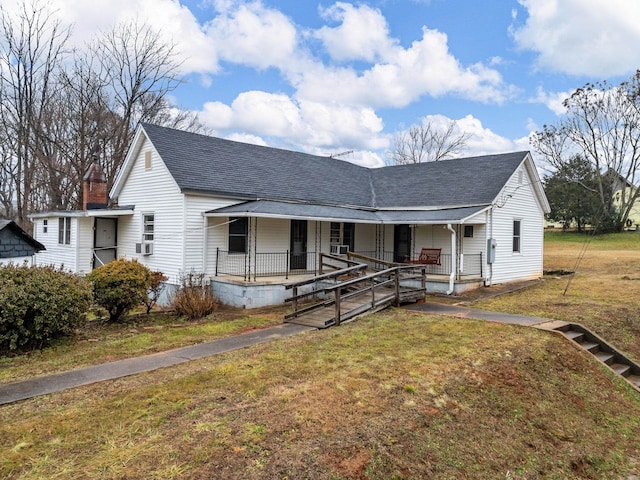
(327, 77)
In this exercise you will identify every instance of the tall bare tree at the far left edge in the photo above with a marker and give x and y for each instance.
(32, 47)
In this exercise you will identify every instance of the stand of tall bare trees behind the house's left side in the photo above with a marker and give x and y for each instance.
(61, 109)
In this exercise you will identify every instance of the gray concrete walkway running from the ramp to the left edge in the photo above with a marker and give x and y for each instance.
(16, 391)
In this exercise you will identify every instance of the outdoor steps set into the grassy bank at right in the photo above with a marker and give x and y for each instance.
(601, 350)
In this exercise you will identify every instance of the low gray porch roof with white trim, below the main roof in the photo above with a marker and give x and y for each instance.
(329, 213)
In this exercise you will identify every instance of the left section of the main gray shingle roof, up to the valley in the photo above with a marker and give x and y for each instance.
(213, 165)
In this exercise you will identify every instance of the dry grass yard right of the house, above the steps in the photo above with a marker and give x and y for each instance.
(604, 294)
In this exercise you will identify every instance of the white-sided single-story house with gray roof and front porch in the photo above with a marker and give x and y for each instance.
(252, 217)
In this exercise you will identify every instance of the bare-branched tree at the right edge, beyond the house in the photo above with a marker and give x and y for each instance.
(602, 124)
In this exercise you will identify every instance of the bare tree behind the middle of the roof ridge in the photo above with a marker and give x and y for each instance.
(427, 143)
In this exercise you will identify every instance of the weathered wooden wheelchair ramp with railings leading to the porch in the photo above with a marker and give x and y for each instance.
(341, 295)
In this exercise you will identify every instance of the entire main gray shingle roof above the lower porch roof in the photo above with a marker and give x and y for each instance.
(200, 163)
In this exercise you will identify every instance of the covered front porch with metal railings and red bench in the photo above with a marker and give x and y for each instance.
(256, 248)
